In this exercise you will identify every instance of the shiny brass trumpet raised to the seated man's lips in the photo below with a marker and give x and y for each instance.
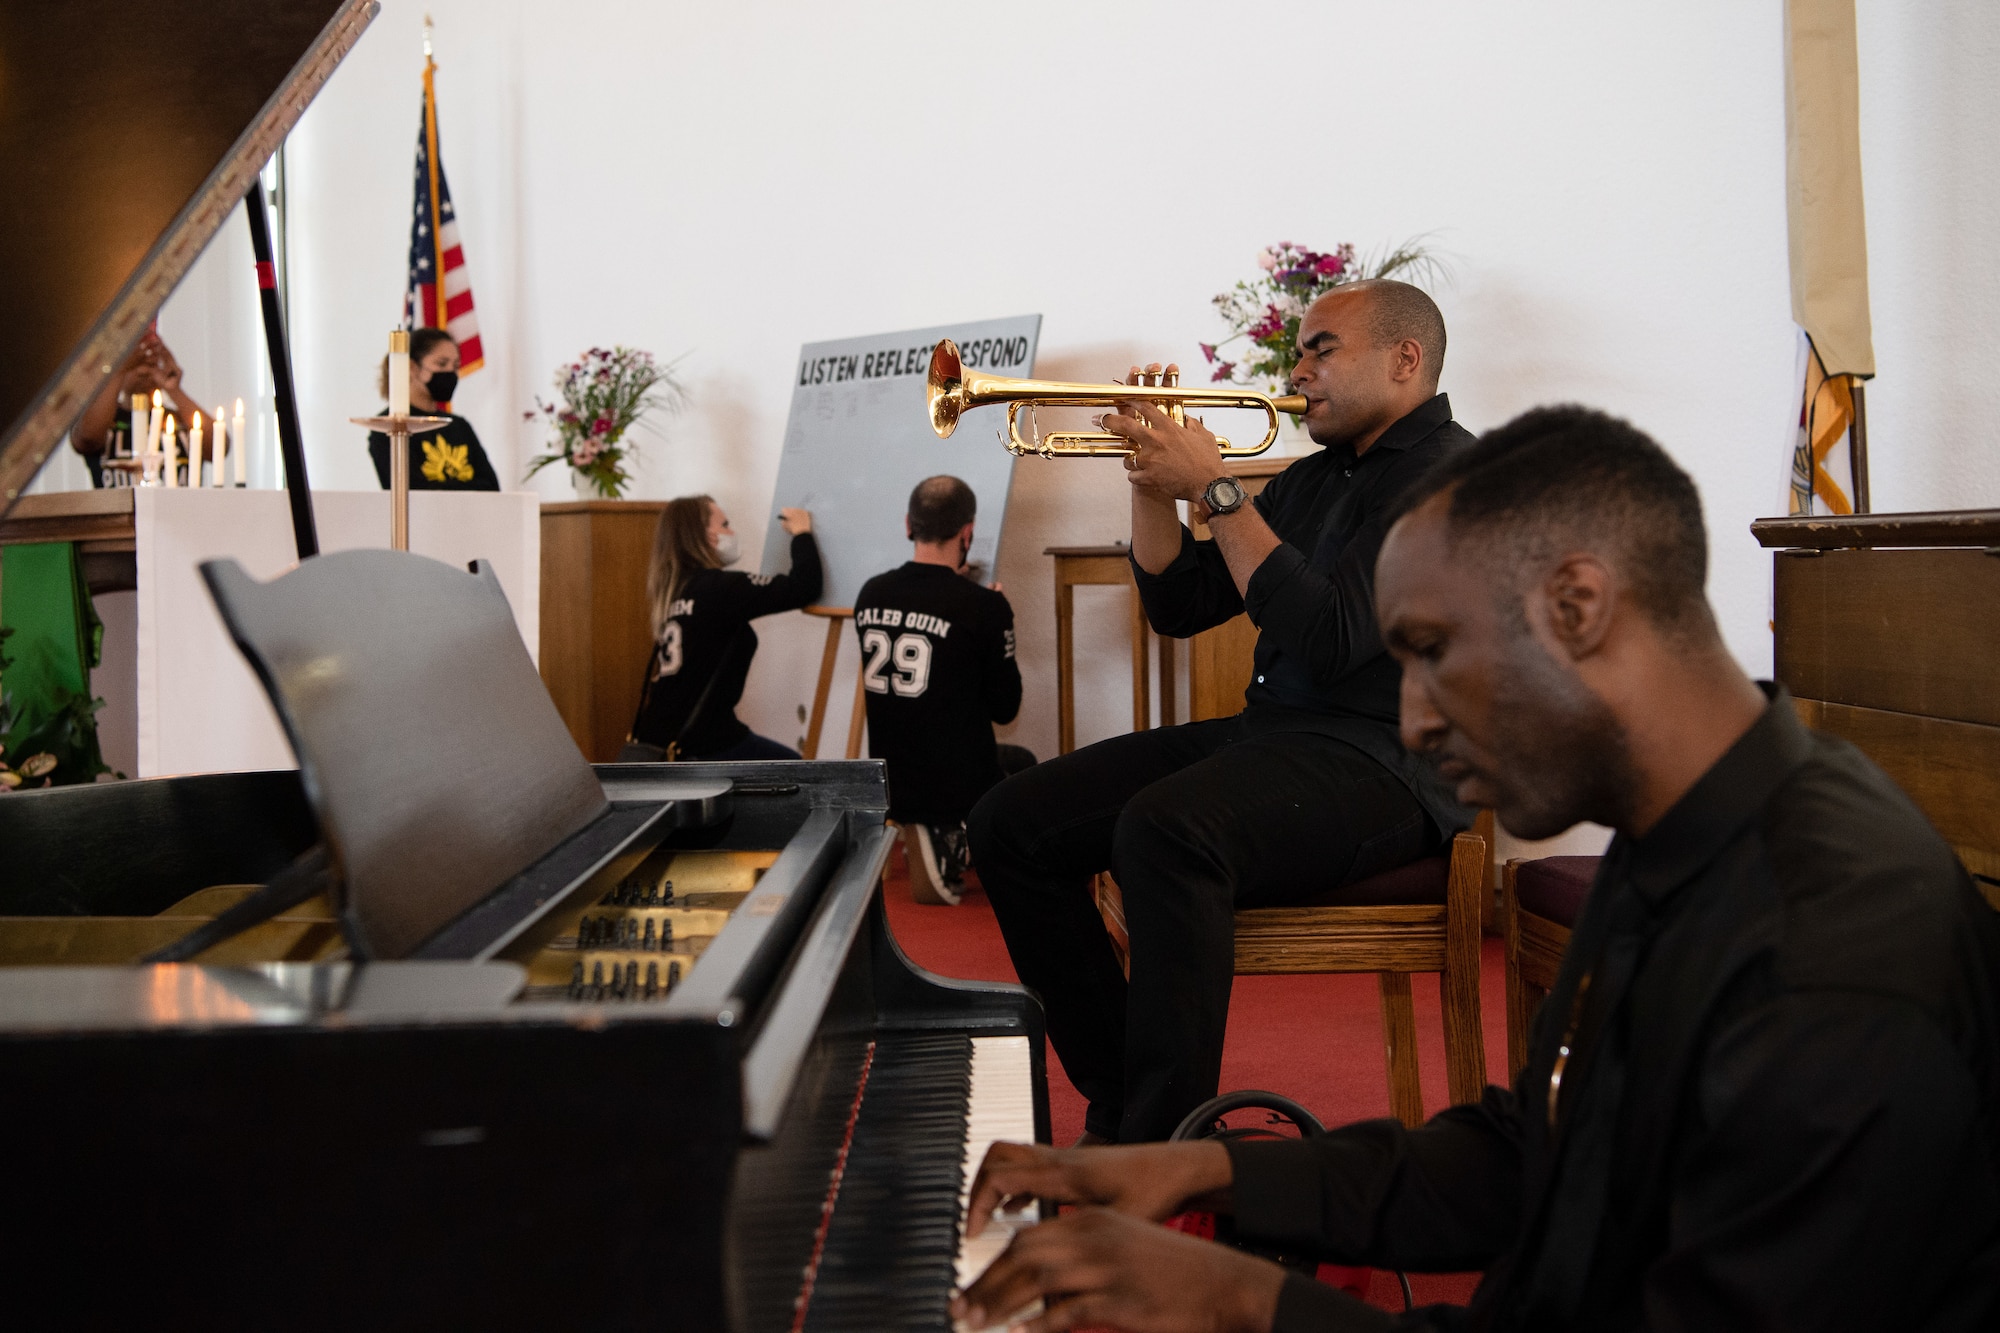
(953, 393)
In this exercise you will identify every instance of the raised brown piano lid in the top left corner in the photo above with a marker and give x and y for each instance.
(129, 131)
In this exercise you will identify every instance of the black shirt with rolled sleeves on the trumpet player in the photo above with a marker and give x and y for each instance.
(1321, 663)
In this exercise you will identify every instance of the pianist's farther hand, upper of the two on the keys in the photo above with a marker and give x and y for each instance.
(1145, 1180)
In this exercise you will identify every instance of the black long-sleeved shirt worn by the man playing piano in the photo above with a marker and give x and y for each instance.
(1781, 1112)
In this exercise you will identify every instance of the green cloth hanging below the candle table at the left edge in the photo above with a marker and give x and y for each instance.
(53, 641)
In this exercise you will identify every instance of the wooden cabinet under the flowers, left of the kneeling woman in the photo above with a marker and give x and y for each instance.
(597, 631)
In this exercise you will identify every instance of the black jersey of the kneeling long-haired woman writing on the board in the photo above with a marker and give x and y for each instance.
(709, 631)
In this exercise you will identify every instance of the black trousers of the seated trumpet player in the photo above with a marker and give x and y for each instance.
(1195, 822)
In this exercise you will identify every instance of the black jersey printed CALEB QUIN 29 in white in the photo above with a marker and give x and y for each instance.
(939, 672)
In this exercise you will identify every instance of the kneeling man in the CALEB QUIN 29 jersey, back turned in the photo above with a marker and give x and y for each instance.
(939, 672)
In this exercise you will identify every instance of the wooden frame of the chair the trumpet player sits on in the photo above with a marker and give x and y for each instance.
(1421, 918)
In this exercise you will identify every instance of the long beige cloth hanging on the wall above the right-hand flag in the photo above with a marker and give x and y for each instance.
(1823, 173)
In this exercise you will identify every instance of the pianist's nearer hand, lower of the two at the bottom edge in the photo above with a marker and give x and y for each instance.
(1103, 1270)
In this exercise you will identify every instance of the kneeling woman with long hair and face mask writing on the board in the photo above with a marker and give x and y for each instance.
(701, 627)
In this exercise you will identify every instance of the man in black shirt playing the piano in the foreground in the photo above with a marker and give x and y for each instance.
(1765, 1090)
